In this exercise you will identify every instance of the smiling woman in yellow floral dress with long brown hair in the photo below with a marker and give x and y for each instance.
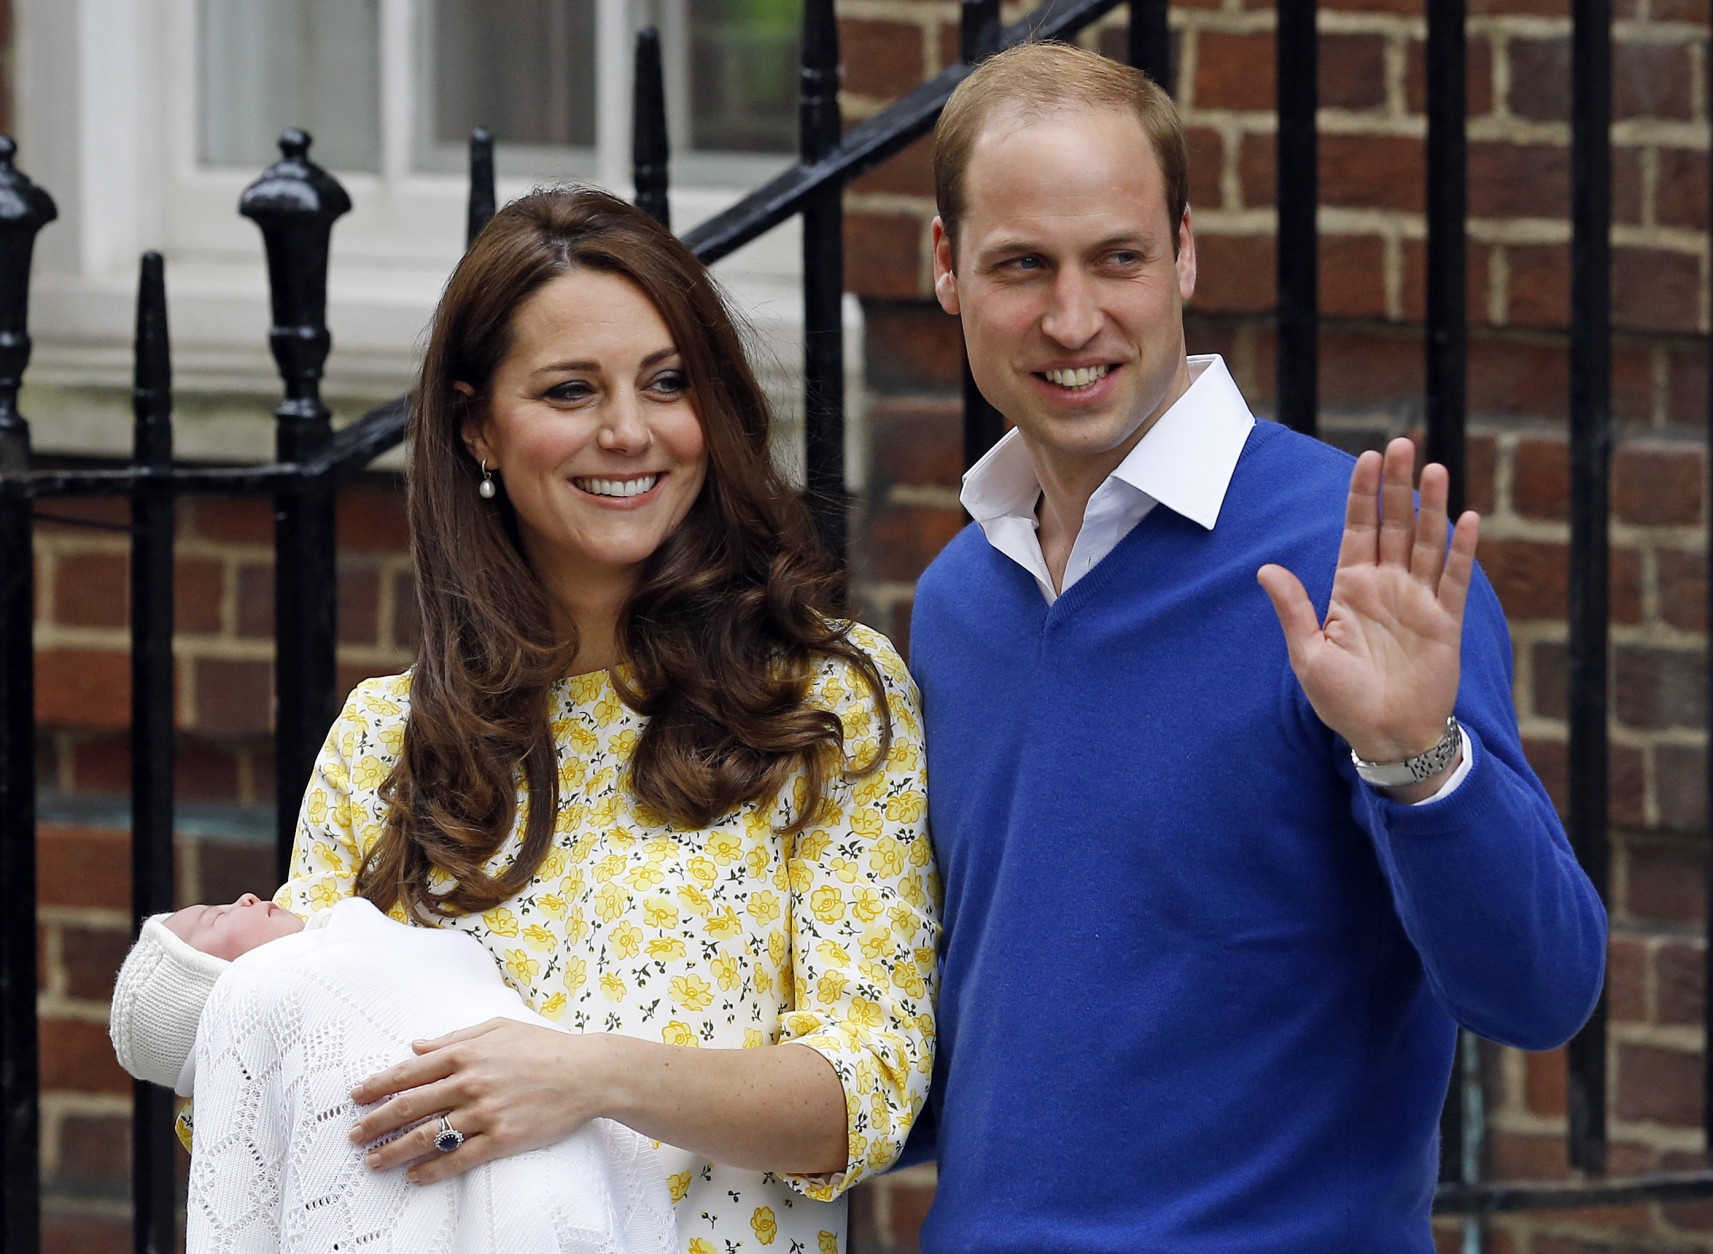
(677, 803)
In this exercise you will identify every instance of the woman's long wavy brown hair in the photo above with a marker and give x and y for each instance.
(720, 636)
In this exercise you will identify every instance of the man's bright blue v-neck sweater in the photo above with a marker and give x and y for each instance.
(1200, 986)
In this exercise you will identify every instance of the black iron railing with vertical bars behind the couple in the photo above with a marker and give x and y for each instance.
(295, 205)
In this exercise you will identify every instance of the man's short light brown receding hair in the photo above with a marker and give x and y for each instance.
(1036, 80)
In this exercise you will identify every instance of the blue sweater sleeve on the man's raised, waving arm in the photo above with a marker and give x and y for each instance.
(1510, 931)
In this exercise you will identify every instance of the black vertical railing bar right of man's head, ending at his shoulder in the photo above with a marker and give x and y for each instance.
(1299, 194)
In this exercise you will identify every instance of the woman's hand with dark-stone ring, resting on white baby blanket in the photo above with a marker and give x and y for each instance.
(508, 1087)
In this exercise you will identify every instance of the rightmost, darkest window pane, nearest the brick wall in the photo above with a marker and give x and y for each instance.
(744, 69)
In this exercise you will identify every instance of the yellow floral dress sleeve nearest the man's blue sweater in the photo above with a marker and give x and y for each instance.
(866, 923)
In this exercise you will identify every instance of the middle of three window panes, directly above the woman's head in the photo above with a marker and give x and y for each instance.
(522, 68)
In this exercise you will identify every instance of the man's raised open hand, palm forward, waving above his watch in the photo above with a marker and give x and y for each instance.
(1383, 671)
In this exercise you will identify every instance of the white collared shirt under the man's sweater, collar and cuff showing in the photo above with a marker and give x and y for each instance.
(1185, 463)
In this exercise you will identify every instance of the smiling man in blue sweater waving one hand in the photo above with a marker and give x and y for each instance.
(1202, 969)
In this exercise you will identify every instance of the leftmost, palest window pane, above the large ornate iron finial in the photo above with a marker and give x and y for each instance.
(275, 64)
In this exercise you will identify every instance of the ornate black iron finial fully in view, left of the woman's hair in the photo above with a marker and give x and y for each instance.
(297, 203)
